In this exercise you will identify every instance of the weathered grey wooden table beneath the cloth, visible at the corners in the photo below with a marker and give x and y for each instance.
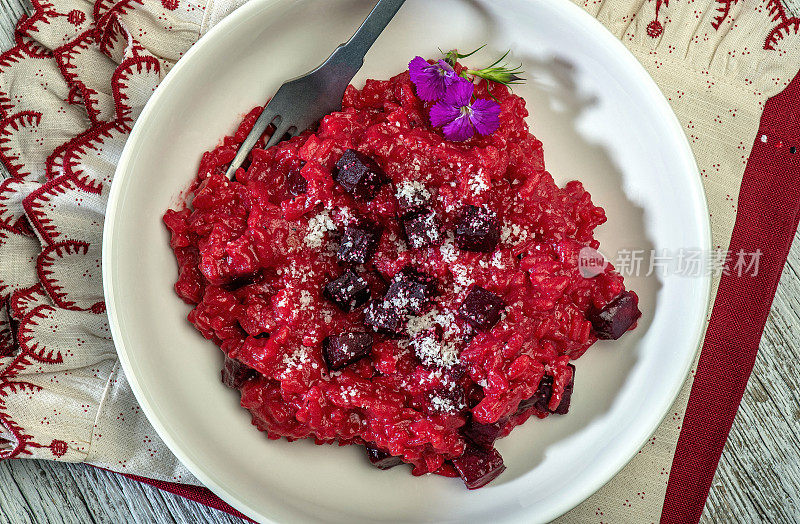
(758, 477)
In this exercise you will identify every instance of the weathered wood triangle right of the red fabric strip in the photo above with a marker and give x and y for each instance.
(759, 473)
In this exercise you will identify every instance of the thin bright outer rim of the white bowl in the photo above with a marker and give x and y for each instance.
(558, 508)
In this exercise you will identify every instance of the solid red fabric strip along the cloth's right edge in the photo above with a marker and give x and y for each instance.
(767, 219)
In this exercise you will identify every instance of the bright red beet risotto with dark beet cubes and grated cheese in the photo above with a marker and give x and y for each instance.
(376, 283)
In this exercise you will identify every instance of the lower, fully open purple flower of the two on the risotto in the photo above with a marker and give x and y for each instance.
(461, 117)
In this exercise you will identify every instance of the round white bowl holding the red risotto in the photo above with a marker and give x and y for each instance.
(602, 120)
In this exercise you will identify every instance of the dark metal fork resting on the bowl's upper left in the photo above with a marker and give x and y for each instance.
(303, 101)
